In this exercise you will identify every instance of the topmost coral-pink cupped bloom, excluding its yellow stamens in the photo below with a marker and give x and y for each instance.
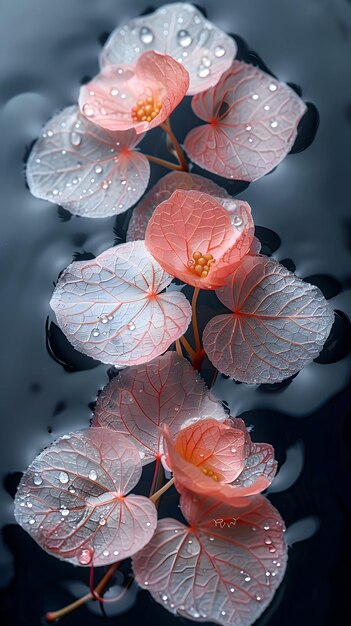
(109, 98)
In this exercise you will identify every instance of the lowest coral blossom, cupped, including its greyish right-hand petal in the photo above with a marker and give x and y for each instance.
(218, 458)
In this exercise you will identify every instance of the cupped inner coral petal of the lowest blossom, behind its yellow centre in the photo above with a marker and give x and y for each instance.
(210, 445)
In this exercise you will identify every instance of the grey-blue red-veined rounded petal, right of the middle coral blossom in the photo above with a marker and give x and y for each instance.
(280, 323)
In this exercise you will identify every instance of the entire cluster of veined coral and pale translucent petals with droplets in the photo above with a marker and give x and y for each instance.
(119, 308)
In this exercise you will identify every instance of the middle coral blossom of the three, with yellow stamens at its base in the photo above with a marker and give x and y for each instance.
(198, 238)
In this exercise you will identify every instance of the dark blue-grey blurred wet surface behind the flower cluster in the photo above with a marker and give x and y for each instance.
(303, 211)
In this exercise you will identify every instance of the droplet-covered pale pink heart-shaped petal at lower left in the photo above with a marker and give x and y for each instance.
(71, 499)
